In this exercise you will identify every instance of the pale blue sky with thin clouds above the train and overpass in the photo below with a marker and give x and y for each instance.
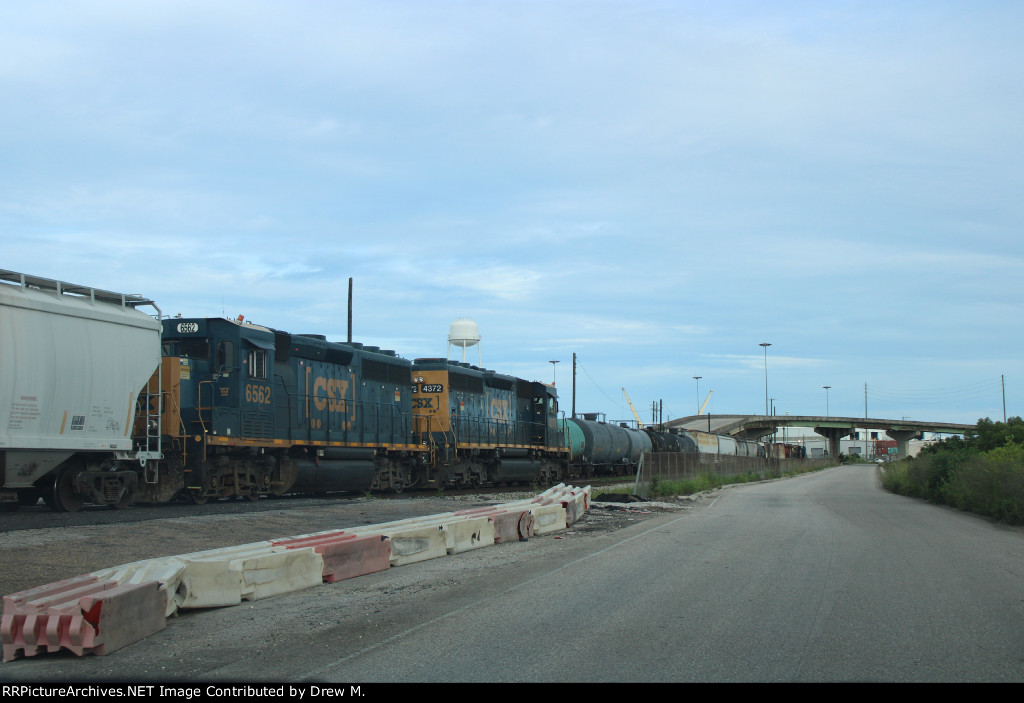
(655, 187)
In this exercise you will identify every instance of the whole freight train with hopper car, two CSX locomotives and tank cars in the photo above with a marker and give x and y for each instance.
(105, 401)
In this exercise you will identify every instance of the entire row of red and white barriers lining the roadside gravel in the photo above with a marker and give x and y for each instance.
(109, 609)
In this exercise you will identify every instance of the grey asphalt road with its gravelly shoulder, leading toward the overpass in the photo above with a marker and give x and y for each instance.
(824, 578)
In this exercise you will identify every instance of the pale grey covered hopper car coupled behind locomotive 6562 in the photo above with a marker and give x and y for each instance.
(73, 362)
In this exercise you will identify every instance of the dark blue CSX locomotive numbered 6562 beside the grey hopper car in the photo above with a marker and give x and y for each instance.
(248, 412)
